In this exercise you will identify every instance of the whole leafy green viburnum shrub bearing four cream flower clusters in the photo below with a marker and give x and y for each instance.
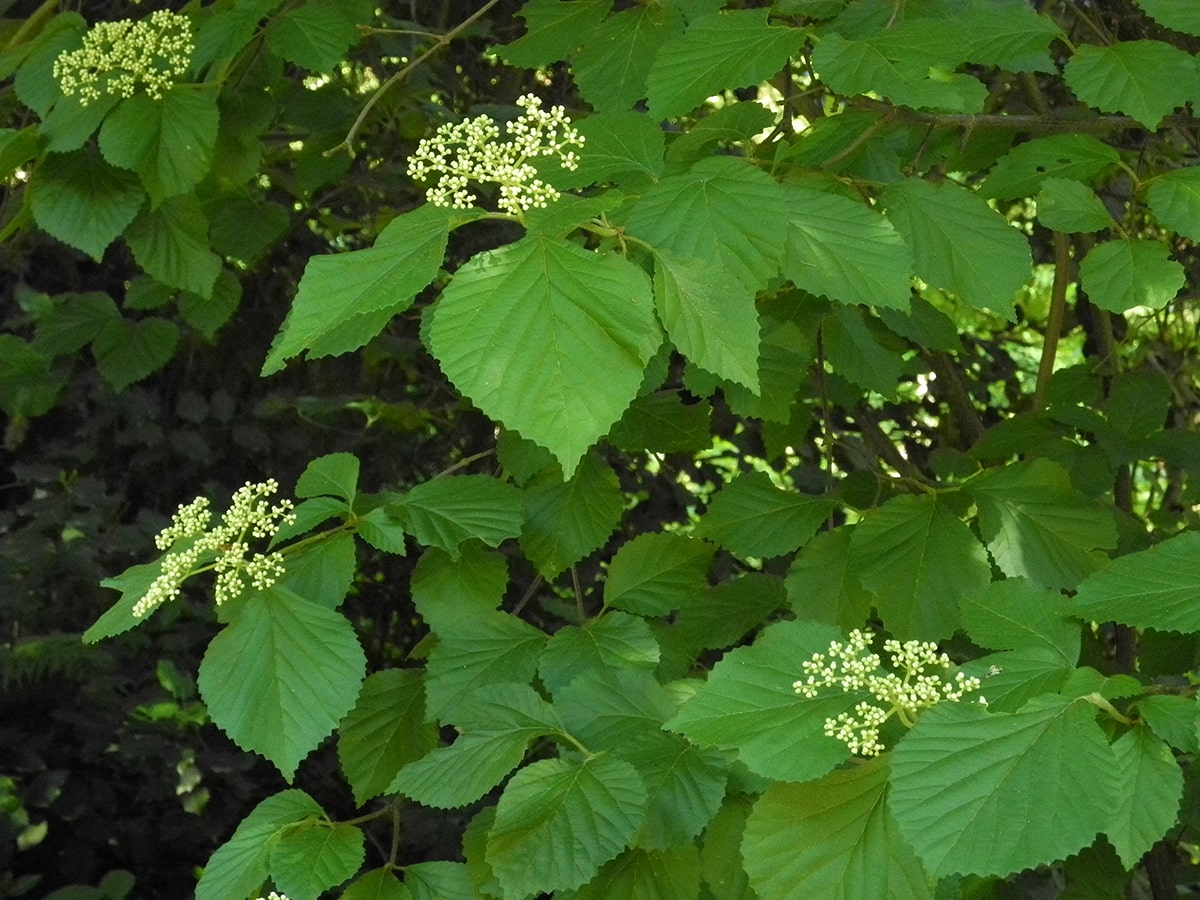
(927, 267)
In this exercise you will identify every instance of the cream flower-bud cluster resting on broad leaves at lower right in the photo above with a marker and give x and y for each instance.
(903, 693)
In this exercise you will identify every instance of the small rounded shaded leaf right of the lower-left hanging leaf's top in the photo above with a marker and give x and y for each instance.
(447, 591)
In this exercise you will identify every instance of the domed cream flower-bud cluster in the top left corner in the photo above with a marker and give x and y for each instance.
(117, 57)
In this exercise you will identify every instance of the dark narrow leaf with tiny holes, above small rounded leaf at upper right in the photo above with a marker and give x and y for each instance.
(1025, 169)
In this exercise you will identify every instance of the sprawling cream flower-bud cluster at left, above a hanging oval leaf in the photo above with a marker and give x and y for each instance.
(195, 548)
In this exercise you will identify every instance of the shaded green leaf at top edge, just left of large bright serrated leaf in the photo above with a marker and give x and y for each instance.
(611, 67)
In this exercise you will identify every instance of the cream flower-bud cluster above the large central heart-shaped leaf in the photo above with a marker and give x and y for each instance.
(472, 151)
